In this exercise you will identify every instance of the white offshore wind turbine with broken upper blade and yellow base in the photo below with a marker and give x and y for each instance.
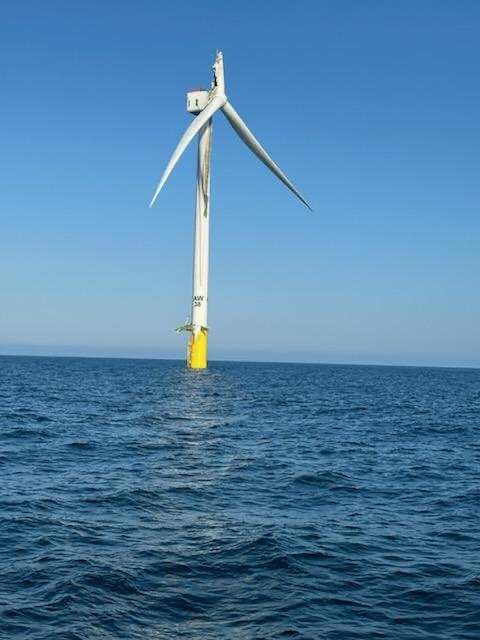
(203, 105)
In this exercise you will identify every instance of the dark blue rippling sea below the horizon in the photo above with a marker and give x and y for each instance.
(139, 500)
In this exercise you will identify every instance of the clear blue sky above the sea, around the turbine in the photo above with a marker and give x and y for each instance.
(371, 108)
